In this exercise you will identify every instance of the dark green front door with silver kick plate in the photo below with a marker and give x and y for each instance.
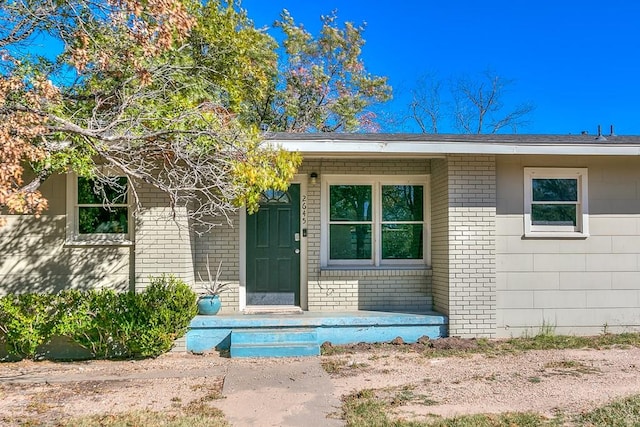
(273, 249)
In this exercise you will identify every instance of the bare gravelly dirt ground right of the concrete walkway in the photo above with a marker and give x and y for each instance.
(545, 382)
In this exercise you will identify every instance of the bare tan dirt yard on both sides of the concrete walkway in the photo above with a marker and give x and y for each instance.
(546, 382)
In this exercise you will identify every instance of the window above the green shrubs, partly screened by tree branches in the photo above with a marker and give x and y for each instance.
(98, 212)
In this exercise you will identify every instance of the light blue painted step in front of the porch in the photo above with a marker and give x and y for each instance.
(281, 342)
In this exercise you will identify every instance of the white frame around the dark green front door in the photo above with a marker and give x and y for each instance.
(300, 179)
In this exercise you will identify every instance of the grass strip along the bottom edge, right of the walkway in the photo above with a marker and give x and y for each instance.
(370, 408)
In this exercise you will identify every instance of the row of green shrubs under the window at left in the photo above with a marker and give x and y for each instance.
(108, 324)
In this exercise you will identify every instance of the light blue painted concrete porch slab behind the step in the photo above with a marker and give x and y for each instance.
(214, 332)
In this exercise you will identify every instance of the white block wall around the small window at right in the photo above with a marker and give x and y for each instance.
(579, 286)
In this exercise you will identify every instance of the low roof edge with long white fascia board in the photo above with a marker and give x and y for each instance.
(436, 145)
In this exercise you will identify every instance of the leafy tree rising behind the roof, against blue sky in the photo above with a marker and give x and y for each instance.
(322, 84)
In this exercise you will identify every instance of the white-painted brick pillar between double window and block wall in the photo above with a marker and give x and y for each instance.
(468, 294)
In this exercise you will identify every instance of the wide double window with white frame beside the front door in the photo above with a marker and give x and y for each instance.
(375, 221)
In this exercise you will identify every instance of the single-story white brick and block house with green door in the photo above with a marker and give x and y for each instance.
(501, 234)
